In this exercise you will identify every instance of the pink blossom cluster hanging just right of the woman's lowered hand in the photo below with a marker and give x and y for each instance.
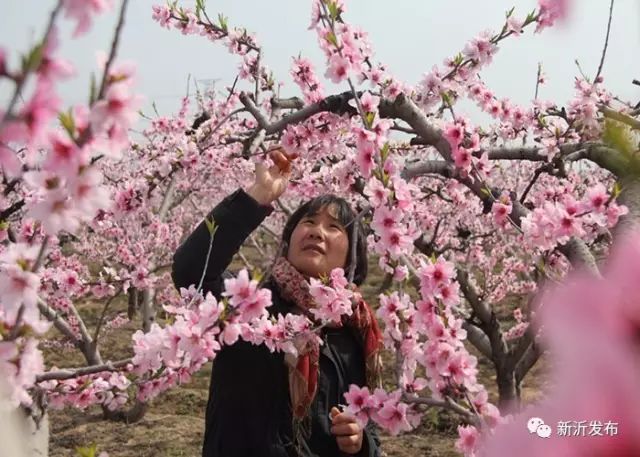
(449, 369)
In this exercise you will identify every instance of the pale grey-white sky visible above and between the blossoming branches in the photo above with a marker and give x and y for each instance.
(409, 36)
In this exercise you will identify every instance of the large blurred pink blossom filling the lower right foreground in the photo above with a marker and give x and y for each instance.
(592, 328)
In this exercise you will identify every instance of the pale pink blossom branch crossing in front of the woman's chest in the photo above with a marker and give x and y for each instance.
(167, 356)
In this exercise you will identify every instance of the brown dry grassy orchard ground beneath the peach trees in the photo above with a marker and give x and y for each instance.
(174, 424)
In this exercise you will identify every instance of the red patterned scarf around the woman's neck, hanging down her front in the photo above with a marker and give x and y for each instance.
(303, 371)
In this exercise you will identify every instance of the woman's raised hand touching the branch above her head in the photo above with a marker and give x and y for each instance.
(271, 182)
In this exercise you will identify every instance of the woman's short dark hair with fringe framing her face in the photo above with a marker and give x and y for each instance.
(346, 216)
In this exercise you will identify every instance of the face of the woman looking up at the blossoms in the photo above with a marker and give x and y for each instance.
(319, 243)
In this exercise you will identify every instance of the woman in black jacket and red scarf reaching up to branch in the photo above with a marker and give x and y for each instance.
(259, 404)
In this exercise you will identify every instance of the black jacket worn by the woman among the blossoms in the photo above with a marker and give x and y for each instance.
(249, 412)
